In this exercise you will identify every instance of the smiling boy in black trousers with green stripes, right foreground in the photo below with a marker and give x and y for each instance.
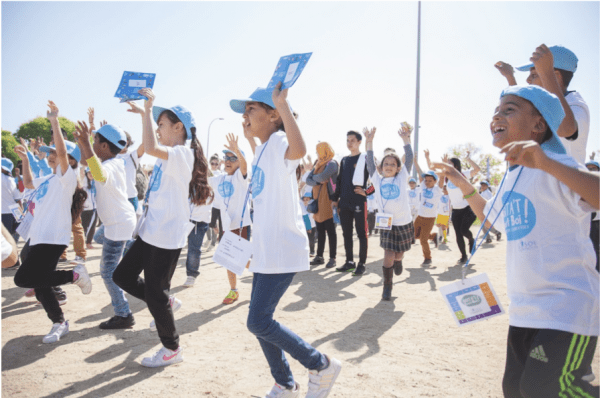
(552, 284)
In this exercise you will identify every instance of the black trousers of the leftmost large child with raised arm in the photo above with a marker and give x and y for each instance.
(38, 271)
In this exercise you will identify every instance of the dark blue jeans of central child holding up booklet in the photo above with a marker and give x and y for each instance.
(274, 338)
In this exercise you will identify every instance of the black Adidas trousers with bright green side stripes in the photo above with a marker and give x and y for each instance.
(547, 363)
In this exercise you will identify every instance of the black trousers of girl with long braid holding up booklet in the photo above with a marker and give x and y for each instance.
(158, 266)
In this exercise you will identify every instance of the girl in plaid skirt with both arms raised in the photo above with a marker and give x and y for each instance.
(391, 194)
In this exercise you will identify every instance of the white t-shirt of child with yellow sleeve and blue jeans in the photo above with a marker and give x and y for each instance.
(115, 211)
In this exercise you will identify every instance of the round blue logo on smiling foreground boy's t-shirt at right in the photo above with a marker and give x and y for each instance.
(519, 216)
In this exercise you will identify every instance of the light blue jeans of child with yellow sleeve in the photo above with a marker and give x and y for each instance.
(111, 255)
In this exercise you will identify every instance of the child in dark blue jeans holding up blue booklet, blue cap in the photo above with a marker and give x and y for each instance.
(280, 243)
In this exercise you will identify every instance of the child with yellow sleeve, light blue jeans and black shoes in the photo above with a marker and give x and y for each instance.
(115, 211)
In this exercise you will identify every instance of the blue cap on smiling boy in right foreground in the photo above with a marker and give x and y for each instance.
(548, 105)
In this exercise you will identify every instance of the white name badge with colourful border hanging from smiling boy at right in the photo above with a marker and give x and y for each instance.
(471, 300)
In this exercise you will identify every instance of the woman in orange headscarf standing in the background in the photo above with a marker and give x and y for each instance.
(322, 178)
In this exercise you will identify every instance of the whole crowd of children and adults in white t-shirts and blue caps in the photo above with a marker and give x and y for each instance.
(285, 204)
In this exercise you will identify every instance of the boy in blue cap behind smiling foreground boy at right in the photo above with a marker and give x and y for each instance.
(552, 68)
